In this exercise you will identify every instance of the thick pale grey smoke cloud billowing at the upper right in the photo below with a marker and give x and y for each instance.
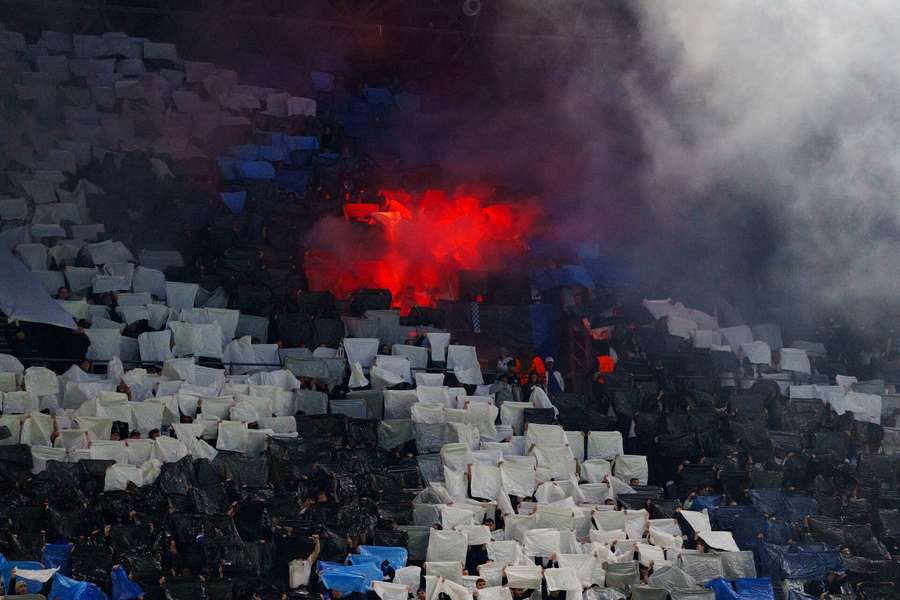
(783, 115)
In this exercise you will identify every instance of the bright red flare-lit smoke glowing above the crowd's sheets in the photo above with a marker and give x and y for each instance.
(418, 241)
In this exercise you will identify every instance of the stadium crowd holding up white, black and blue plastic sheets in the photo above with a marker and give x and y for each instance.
(268, 442)
